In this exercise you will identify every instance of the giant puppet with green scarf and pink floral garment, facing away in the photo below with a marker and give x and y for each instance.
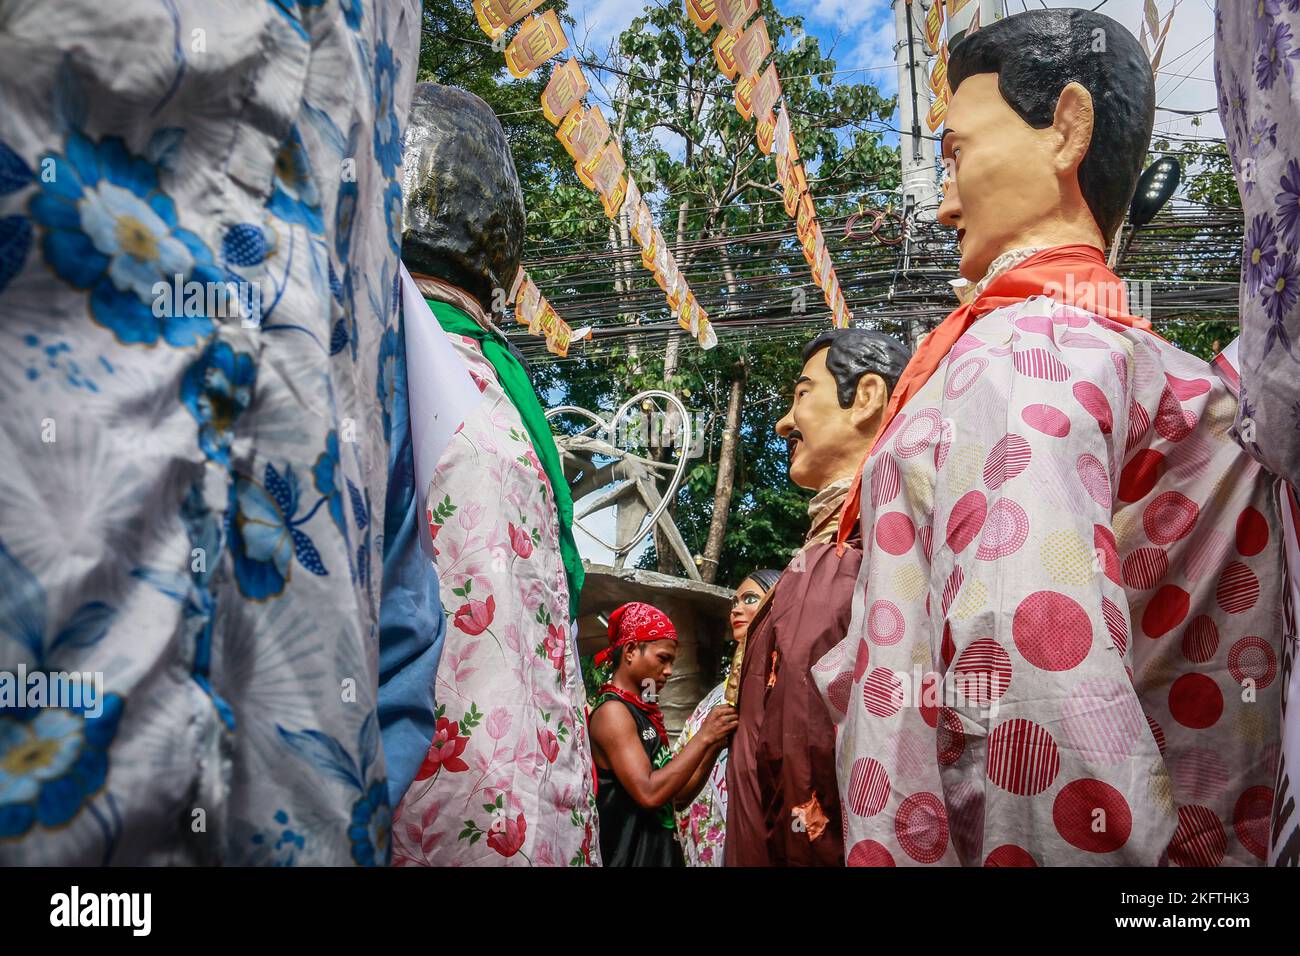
(508, 778)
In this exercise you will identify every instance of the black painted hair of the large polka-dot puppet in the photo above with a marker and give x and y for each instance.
(1037, 55)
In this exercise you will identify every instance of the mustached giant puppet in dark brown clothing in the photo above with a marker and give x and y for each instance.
(783, 807)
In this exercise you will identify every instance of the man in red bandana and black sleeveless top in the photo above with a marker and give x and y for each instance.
(638, 781)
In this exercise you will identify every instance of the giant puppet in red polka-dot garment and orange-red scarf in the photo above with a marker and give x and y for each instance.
(1065, 637)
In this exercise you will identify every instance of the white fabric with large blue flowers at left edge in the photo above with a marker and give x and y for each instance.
(197, 365)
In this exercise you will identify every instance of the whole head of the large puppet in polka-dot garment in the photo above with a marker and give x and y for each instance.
(1047, 133)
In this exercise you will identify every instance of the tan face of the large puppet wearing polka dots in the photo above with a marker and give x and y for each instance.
(1004, 188)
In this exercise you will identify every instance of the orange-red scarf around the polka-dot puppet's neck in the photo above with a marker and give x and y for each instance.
(1074, 275)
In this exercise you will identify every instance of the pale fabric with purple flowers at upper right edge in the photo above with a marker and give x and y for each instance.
(1258, 72)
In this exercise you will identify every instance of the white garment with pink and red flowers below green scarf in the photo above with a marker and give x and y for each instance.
(508, 780)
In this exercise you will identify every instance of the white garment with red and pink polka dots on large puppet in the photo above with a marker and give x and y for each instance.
(1067, 631)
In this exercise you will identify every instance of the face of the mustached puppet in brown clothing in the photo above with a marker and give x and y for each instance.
(827, 442)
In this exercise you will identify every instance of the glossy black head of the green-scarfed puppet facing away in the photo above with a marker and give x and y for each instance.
(463, 210)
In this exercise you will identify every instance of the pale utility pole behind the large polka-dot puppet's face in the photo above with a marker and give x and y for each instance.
(917, 152)
